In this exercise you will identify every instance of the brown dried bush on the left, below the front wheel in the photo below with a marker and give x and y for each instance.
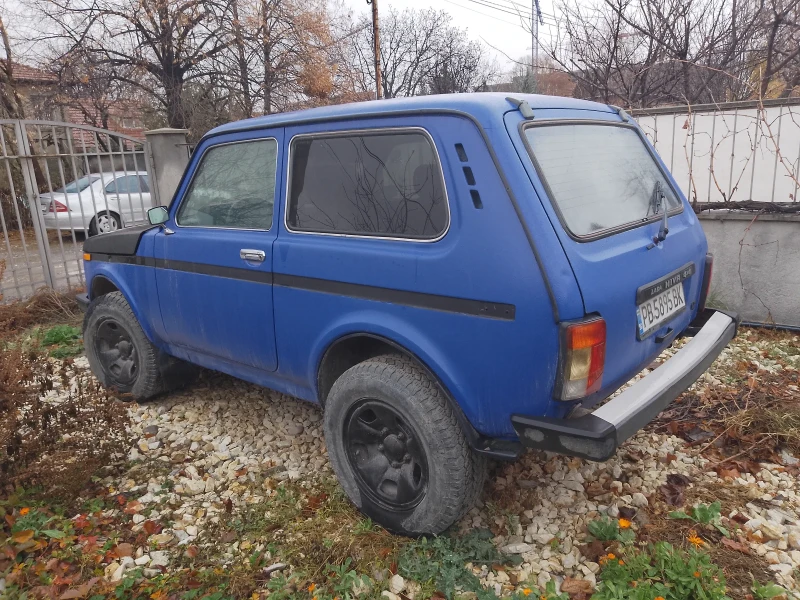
(58, 428)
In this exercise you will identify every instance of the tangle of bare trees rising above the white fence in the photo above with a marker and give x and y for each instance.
(648, 52)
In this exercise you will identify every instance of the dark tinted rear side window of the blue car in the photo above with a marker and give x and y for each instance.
(368, 184)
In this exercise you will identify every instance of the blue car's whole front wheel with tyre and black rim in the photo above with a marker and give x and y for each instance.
(119, 353)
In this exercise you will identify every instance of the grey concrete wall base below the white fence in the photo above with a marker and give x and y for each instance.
(756, 265)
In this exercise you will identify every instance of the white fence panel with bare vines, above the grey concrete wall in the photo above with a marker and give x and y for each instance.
(730, 152)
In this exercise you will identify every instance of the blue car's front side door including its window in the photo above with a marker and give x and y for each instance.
(213, 258)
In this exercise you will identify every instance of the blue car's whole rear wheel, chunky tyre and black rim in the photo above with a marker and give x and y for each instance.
(397, 447)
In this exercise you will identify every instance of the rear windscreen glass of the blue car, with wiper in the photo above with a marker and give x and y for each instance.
(599, 176)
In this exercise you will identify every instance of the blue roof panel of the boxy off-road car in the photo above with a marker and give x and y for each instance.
(476, 104)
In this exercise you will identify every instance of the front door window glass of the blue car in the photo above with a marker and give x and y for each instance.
(233, 187)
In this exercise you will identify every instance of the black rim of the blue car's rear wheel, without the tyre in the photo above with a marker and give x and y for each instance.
(385, 454)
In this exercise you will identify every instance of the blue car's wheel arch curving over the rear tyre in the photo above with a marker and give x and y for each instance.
(356, 347)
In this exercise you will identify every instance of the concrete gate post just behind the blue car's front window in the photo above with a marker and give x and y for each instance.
(167, 154)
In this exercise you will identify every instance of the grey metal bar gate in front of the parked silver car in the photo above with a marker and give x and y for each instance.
(60, 182)
